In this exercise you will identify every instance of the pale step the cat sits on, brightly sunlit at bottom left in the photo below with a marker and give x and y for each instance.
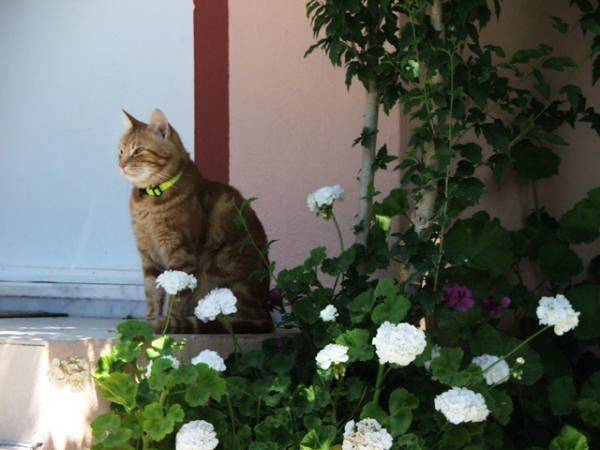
(38, 404)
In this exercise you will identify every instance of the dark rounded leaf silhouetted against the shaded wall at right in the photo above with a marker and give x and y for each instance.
(533, 162)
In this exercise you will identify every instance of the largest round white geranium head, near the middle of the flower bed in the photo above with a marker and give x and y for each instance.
(398, 344)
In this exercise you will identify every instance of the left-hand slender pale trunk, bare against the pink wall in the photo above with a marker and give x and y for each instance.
(365, 203)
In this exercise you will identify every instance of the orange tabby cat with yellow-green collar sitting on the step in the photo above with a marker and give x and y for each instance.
(183, 223)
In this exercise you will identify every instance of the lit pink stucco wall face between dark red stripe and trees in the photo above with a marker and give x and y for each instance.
(292, 125)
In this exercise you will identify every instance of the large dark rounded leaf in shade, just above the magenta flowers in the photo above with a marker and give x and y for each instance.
(480, 243)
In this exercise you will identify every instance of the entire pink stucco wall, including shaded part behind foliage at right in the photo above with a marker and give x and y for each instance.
(293, 122)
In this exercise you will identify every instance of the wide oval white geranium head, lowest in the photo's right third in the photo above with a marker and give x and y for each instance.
(460, 405)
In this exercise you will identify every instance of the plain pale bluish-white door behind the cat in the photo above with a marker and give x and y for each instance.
(67, 67)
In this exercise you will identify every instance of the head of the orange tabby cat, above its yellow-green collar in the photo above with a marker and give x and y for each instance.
(151, 153)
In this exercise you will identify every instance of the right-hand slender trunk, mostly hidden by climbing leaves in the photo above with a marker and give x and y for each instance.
(426, 205)
